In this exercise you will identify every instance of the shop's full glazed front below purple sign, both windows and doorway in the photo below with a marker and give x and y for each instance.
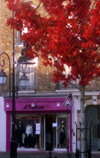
(42, 131)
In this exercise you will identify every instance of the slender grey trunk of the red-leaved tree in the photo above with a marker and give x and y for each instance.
(82, 124)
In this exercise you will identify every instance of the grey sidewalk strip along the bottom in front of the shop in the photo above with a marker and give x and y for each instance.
(44, 154)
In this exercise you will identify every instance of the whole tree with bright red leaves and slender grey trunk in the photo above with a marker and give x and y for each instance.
(69, 35)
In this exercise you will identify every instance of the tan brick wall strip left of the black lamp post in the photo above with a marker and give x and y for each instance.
(5, 36)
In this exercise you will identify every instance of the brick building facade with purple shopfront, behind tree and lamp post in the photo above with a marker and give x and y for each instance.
(47, 115)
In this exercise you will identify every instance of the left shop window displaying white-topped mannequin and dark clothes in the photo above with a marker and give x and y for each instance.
(27, 132)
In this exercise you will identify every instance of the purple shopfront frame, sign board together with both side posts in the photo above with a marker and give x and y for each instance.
(40, 105)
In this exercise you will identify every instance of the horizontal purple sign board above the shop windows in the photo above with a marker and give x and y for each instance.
(37, 105)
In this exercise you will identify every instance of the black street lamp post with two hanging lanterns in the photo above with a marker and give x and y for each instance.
(23, 82)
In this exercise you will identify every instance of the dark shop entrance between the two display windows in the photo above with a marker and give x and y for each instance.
(50, 133)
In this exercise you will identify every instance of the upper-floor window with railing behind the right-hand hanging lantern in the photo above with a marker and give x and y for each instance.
(30, 71)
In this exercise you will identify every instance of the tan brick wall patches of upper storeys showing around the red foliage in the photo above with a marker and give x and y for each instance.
(44, 76)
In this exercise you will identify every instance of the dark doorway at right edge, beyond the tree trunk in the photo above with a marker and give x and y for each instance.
(92, 116)
